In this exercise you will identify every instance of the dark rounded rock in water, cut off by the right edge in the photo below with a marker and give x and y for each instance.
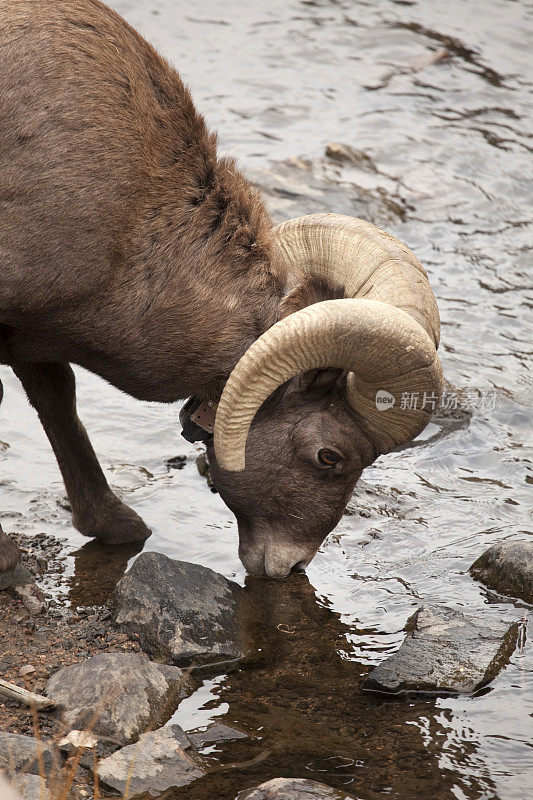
(507, 568)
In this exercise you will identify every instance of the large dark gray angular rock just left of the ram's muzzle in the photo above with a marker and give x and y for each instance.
(181, 612)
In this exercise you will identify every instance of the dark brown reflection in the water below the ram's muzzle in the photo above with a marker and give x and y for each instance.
(307, 716)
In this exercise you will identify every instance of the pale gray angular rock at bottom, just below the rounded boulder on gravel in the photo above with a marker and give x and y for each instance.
(160, 760)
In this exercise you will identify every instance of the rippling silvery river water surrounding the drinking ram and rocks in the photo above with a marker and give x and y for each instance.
(437, 97)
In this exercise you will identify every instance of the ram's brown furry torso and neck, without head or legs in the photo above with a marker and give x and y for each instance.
(126, 244)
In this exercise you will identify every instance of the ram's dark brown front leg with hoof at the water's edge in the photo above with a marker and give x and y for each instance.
(96, 512)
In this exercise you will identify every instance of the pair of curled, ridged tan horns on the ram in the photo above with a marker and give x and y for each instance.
(384, 334)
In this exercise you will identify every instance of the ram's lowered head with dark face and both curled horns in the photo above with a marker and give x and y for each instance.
(327, 389)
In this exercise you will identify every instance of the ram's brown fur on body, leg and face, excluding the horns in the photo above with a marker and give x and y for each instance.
(128, 247)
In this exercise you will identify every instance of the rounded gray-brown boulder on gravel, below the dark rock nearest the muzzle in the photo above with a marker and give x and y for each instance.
(118, 695)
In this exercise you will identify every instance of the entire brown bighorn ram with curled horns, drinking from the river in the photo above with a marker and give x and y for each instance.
(128, 247)
